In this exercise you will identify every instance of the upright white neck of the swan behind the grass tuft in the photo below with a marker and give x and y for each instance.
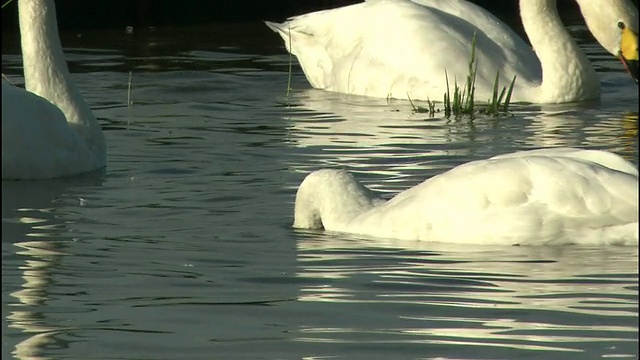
(566, 70)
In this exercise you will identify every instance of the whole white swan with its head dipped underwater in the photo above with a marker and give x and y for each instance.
(547, 196)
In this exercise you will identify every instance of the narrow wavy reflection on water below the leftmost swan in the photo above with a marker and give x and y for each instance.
(32, 222)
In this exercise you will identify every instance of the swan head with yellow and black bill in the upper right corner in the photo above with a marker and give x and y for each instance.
(615, 26)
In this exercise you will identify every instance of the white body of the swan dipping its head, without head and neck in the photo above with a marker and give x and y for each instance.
(520, 199)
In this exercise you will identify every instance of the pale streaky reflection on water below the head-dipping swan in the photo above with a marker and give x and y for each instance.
(581, 300)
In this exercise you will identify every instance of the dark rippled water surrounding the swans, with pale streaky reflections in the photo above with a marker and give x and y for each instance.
(182, 248)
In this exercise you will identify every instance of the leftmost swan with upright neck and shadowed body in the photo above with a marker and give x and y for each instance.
(48, 131)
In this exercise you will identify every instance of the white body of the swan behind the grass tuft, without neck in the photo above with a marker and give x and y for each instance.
(392, 47)
